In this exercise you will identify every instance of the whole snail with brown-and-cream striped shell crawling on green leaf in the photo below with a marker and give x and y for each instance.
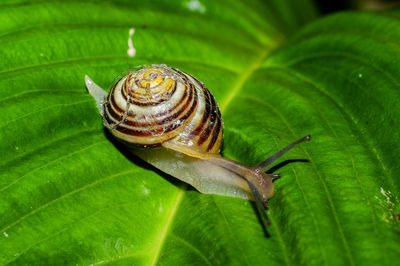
(171, 120)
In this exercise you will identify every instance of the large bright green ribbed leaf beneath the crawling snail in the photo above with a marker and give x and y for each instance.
(71, 195)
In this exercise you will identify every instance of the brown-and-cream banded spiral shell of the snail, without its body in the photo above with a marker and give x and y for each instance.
(160, 105)
